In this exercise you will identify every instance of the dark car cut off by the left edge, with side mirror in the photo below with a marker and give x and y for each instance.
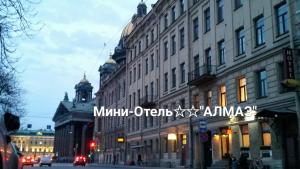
(10, 157)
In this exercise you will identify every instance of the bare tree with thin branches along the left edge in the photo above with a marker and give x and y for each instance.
(15, 16)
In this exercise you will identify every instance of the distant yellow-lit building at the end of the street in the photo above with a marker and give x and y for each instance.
(34, 143)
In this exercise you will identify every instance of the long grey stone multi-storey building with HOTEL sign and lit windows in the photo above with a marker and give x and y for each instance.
(212, 53)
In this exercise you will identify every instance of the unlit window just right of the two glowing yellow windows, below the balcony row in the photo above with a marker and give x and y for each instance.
(262, 83)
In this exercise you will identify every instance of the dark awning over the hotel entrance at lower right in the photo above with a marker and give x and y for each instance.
(277, 113)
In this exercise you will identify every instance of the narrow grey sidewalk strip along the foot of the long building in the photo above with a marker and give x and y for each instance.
(128, 166)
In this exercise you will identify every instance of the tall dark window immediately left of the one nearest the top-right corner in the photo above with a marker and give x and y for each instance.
(259, 31)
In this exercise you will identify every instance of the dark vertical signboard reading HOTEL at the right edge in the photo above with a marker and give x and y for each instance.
(288, 62)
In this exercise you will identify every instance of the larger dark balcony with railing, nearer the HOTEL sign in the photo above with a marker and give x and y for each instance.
(202, 75)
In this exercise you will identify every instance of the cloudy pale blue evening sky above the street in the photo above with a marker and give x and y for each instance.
(70, 43)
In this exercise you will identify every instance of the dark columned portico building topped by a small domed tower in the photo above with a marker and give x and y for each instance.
(74, 122)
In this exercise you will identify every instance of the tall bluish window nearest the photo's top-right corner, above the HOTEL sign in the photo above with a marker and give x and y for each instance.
(282, 18)
